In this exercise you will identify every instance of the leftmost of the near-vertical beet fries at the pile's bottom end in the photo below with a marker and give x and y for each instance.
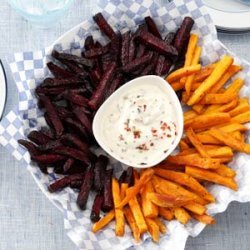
(85, 188)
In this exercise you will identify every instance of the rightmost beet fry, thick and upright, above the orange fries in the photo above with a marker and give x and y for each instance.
(183, 34)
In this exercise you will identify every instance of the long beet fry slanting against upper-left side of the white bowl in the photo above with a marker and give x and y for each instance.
(99, 94)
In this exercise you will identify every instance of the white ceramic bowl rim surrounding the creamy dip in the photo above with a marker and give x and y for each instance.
(150, 79)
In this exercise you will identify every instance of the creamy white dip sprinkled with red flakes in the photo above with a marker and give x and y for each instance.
(140, 125)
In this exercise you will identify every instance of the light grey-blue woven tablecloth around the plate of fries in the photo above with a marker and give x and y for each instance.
(28, 221)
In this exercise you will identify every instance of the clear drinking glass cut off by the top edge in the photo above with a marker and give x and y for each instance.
(42, 13)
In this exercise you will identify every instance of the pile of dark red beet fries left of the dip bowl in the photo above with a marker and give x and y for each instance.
(77, 87)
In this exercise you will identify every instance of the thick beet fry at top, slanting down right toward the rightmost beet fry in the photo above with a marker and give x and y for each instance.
(157, 44)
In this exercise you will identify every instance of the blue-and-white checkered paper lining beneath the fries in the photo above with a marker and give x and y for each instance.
(29, 68)
